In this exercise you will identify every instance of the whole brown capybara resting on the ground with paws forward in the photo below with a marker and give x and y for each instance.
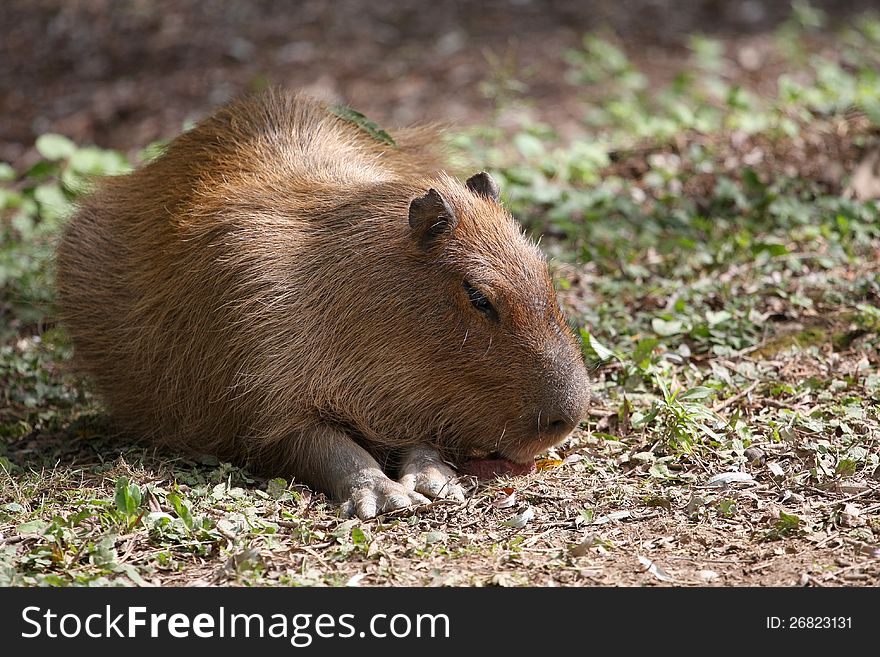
(292, 290)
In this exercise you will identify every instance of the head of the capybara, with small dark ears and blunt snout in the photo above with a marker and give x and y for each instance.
(487, 362)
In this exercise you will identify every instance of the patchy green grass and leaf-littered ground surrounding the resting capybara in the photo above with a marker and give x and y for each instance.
(725, 280)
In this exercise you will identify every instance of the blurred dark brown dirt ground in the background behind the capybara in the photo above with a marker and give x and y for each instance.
(121, 74)
